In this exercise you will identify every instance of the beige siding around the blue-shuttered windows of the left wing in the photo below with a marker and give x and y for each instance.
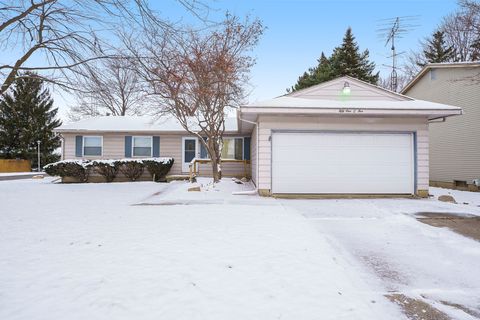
(170, 146)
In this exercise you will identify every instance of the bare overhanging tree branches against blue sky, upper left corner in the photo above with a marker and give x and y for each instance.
(66, 35)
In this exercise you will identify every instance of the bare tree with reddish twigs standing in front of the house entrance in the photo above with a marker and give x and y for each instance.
(196, 75)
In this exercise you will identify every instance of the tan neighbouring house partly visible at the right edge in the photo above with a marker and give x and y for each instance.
(454, 145)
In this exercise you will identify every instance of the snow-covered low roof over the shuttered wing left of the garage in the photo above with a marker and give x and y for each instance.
(133, 124)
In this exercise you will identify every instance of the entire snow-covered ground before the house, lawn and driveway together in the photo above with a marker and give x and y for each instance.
(155, 251)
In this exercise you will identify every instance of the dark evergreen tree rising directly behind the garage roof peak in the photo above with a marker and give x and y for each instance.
(345, 60)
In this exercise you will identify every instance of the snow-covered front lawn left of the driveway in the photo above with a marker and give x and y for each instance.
(83, 251)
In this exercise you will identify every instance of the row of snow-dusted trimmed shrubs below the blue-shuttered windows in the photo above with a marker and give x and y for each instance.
(131, 168)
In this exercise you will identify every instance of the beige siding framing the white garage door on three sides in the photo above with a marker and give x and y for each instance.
(267, 123)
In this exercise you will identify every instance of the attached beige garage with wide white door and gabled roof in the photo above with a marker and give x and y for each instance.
(341, 137)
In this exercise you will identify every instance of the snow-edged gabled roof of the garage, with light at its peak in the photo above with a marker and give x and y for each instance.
(326, 98)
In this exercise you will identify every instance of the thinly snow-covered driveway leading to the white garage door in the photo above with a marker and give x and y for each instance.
(421, 261)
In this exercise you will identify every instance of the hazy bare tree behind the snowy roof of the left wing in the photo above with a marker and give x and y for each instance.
(110, 87)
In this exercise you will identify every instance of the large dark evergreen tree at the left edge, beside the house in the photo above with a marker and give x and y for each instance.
(27, 116)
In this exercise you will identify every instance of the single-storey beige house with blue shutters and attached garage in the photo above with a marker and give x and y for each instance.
(343, 136)
